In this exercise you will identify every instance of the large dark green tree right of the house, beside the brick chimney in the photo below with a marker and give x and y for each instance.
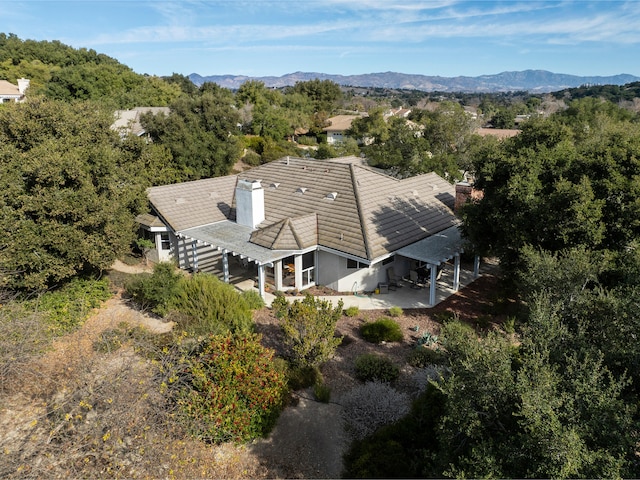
(572, 179)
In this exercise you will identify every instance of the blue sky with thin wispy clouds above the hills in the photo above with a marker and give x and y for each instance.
(264, 37)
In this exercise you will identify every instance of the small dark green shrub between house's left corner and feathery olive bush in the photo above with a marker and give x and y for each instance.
(156, 290)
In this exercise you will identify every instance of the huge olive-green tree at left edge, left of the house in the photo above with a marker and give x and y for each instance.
(69, 194)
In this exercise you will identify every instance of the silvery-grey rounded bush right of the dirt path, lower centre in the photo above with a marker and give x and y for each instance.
(372, 405)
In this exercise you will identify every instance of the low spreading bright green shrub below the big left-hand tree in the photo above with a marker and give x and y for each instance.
(67, 308)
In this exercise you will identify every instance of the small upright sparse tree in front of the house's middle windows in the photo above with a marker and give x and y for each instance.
(309, 329)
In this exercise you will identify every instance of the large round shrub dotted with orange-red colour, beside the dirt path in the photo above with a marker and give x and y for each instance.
(232, 391)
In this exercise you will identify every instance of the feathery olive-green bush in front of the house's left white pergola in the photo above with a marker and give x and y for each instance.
(207, 305)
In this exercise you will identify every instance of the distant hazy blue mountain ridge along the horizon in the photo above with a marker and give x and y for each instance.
(535, 81)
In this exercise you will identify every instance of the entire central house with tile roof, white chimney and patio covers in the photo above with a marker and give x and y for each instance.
(304, 222)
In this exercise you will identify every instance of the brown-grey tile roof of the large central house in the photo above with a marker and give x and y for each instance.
(346, 207)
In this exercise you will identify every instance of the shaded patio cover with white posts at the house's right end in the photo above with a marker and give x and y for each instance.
(437, 249)
